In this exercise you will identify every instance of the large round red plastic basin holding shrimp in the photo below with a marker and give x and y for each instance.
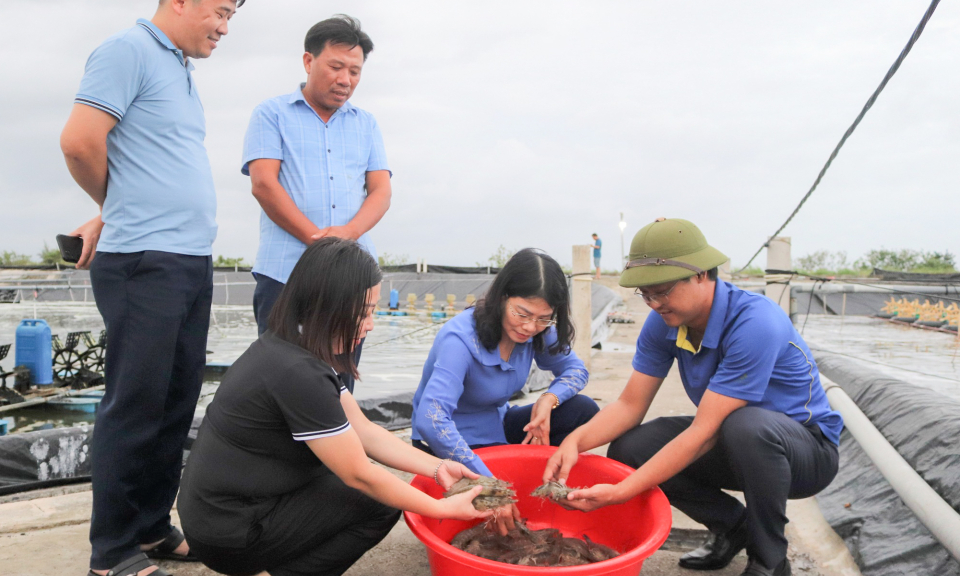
(636, 528)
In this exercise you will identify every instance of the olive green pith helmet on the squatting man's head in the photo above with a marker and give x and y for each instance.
(666, 250)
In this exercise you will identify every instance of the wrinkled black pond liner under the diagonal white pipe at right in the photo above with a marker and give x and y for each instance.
(883, 535)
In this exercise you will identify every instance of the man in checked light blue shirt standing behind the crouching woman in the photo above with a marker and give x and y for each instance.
(316, 162)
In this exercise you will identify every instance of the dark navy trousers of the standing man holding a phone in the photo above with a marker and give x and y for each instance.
(156, 308)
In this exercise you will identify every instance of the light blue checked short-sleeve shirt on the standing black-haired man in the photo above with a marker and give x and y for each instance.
(323, 168)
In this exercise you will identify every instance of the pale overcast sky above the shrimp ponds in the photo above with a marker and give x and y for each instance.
(535, 123)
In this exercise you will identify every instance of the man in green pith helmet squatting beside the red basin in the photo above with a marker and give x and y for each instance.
(762, 425)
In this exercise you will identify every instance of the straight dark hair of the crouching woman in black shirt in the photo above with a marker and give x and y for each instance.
(323, 303)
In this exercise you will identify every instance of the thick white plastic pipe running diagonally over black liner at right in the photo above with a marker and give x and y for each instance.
(933, 511)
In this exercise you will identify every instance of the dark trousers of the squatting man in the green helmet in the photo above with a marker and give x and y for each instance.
(767, 455)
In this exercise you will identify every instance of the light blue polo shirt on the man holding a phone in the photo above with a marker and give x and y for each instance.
(160, 193)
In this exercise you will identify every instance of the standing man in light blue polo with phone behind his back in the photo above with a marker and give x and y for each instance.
(134, 143)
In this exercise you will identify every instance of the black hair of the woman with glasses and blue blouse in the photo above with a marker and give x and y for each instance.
(530, 273)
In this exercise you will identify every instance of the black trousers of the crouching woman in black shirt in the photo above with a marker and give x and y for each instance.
(319, 530)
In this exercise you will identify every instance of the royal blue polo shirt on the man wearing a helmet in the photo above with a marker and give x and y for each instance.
(750, 351)
